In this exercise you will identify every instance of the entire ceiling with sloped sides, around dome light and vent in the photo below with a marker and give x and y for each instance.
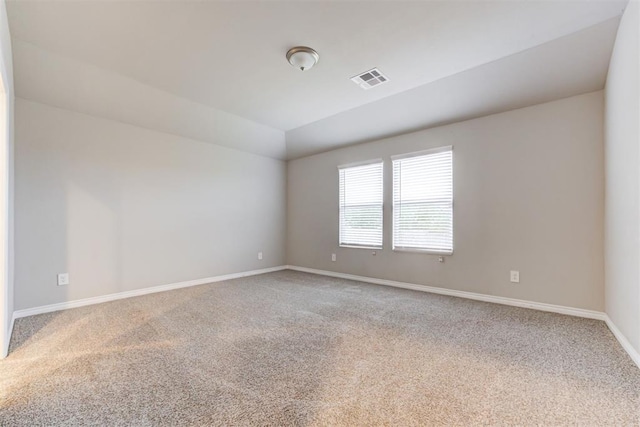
(216, 71)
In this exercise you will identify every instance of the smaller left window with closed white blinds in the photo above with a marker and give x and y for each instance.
(361, 205)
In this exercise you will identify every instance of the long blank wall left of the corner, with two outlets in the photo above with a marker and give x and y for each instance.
(121, 207)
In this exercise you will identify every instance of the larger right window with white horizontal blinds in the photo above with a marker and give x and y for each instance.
(423, 201)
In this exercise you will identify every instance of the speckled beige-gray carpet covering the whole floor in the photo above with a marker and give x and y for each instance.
(290, 348)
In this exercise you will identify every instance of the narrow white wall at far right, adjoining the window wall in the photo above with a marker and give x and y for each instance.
(622, 206)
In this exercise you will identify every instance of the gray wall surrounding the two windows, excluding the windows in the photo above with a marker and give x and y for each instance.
(529, 196)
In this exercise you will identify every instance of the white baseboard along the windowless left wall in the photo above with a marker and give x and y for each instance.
(138, 292)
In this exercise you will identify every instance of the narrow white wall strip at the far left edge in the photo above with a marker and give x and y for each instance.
(6, 183)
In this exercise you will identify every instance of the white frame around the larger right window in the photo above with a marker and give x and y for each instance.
(426, 251)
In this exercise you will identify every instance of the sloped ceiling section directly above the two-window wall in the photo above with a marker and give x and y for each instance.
(571, 65)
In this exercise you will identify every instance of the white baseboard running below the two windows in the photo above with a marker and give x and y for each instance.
(579, 312)
